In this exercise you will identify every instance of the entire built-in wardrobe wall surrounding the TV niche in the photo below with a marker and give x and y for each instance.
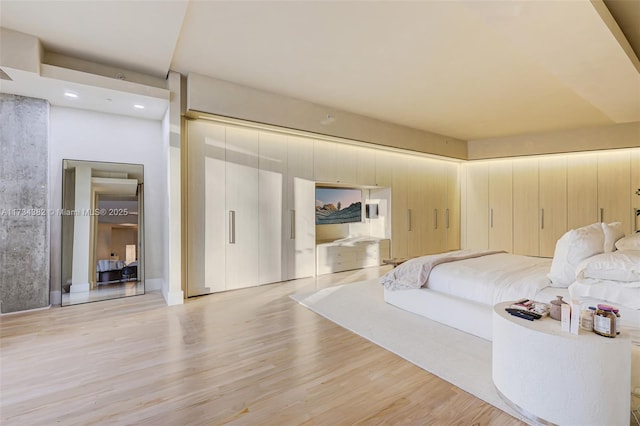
(250, 202)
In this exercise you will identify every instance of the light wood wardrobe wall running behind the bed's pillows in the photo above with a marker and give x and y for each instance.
(524, 205)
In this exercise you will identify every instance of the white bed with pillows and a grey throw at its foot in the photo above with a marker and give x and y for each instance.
(460, 288)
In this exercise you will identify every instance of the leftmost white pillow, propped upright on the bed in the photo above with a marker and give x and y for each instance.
(571, 249)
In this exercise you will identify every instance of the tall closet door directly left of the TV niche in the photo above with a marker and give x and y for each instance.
(300, 220)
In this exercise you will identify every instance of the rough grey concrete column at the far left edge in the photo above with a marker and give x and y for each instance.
(24, 203)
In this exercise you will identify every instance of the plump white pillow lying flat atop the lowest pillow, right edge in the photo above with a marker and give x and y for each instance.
(618, 266)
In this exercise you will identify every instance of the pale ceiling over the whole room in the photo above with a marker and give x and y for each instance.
(465, 69)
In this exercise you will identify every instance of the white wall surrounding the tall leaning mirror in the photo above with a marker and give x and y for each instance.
(86, 135)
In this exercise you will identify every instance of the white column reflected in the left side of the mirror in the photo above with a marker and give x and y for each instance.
(81, 231)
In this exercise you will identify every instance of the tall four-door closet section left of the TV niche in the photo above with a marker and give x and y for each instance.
(250, 207)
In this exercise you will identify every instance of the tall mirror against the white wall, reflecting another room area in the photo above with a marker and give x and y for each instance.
(102, 231)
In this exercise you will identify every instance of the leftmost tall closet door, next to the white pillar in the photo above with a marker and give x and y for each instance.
(205, 212)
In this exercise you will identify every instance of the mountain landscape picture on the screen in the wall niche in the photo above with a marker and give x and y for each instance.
(338, 205)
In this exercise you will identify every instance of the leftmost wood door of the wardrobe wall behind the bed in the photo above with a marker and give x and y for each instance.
(477, 208)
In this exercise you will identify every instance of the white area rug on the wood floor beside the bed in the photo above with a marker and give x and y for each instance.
(457, 357)
